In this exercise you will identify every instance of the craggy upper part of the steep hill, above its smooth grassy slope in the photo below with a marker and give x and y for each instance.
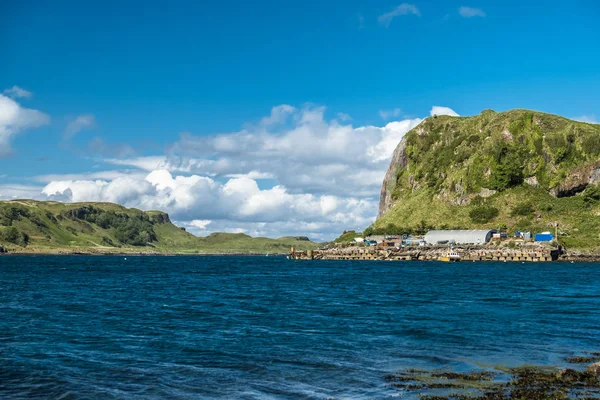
(459, 158)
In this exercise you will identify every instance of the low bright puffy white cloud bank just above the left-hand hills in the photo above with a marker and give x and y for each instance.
(202, 201)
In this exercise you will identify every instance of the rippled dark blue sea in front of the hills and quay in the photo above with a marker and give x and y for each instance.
(268, 328)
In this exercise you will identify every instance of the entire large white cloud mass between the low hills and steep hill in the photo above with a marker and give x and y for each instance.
(296, 172)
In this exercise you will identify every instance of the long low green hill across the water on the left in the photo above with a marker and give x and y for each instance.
(52, 227)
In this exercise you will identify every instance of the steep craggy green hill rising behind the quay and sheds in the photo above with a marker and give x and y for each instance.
(520, 170)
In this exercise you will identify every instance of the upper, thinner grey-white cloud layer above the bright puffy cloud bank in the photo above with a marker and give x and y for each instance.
(309, 155)
